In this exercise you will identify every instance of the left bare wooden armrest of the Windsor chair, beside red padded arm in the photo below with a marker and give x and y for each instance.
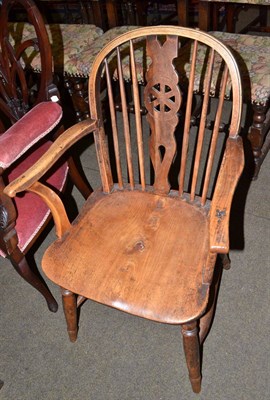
(57, 149)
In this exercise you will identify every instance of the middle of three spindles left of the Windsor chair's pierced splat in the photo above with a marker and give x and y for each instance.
(125, 120)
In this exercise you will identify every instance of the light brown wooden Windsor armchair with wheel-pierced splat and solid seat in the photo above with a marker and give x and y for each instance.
(149, 246)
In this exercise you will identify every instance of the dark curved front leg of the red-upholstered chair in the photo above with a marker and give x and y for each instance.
(21, 265)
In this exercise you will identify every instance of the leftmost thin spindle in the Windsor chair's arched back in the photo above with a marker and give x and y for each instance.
(114, 126)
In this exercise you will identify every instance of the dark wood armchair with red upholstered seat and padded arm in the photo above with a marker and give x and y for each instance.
(29, 111)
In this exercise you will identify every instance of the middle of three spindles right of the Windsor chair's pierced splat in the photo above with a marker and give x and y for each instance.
(202, 125)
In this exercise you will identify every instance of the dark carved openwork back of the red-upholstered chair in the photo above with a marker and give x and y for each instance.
(19, 89)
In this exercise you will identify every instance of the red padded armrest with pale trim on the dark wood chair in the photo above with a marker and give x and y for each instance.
(33, 126)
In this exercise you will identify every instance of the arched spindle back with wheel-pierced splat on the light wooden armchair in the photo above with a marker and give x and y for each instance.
(156, 71)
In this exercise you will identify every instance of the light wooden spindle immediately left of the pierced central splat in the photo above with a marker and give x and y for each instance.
(138, 119)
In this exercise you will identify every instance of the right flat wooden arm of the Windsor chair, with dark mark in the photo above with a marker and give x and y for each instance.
(230, 172)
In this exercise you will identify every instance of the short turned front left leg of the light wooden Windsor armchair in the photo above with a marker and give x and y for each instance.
(70, 310)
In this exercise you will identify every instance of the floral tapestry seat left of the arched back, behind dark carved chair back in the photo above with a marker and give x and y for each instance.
(74, 47)
